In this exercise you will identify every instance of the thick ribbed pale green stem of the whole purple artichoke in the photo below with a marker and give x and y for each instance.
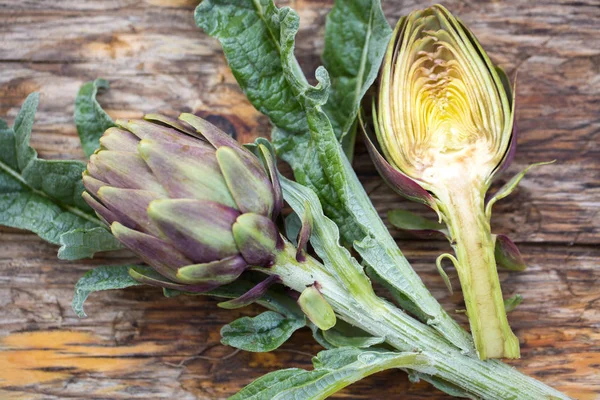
(484, 379)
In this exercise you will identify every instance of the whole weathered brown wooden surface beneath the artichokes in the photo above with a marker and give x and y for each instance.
(137, 344)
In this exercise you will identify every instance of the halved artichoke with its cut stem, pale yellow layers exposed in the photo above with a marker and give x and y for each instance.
(444, 122)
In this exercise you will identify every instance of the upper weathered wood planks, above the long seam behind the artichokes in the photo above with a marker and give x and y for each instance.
(157, 60)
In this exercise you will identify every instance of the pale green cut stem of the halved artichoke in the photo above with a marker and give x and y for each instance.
(474, 246)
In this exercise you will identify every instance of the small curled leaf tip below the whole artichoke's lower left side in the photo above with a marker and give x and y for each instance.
(101, 278)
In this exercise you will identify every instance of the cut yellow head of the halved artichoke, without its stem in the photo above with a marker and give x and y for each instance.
(443, 110)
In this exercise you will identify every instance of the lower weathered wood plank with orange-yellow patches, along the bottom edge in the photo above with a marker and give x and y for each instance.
(557, 325)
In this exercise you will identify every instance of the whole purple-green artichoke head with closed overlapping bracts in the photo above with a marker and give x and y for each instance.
(186, 198)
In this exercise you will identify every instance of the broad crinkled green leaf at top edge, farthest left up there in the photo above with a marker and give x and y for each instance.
(249, 33)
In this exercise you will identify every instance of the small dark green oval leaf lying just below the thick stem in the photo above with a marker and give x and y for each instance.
(265, 332)
